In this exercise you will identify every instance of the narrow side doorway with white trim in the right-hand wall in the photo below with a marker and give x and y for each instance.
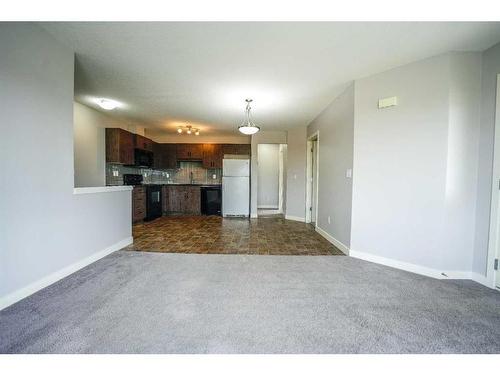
(312, 179)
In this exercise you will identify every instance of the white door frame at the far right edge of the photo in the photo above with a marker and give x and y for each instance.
(494, 233)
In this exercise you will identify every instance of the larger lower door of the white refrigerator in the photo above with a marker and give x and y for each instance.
(235, 196)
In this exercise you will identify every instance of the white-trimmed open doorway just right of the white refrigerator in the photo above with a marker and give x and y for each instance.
(271, 179)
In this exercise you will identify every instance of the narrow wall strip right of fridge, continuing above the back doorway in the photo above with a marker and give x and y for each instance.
(276, 137)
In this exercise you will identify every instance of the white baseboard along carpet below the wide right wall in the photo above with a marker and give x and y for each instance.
(421, 270)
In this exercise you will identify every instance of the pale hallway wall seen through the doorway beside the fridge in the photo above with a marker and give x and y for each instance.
(268, 176)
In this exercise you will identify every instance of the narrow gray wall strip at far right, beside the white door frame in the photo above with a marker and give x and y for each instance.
(490, 69)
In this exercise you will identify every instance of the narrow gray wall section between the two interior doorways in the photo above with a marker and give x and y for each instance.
(296, 173)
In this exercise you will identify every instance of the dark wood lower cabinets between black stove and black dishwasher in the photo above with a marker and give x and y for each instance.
(182, 199)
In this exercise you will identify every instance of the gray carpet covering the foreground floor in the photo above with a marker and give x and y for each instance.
(134, 302)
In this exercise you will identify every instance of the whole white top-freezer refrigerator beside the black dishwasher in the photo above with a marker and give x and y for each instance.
(235, 187)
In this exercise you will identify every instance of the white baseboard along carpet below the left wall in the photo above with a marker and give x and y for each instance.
(19, 294)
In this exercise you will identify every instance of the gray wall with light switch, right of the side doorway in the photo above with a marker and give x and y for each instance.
(336, 131)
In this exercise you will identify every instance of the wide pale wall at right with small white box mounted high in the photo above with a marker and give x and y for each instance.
(412, 187)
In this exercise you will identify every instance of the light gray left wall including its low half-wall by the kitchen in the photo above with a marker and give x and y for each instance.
(44, 227)
